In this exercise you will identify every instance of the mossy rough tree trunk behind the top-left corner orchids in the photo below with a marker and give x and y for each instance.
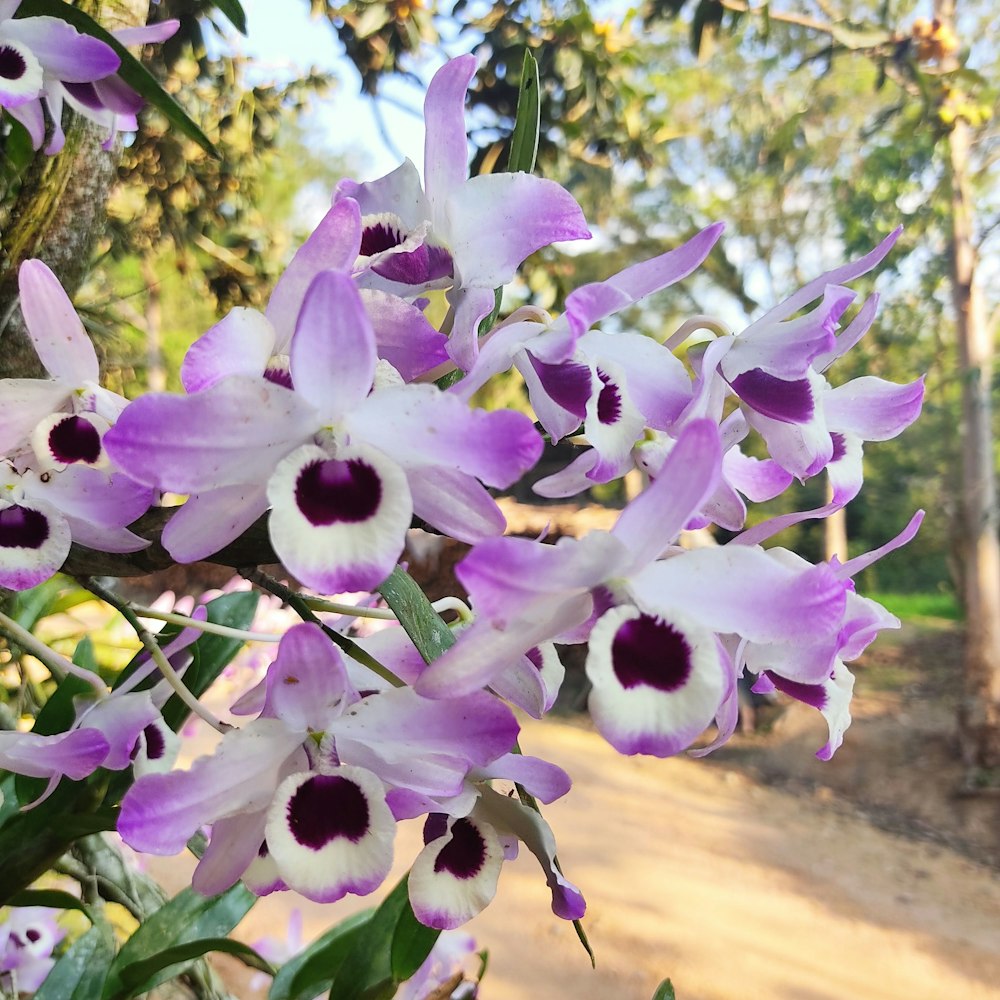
(60, 210)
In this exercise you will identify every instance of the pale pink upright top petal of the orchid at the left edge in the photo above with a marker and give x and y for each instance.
(56, 331)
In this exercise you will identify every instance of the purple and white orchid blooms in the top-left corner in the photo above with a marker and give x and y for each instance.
(46, 63)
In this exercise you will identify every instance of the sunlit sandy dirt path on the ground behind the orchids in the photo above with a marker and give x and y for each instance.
(735, 890)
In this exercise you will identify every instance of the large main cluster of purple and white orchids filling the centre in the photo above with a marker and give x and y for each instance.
(327, 413)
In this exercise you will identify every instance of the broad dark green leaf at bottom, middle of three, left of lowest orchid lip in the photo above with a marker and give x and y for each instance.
(390, 948)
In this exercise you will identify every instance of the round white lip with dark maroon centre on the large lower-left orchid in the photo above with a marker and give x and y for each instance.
(331, 834)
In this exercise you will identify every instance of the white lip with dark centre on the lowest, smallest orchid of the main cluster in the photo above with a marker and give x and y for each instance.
(455, 876)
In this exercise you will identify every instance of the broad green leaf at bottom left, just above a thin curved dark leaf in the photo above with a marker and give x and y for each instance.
(187, 918)
